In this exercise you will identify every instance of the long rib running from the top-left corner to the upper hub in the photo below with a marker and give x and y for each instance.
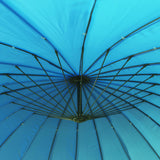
(36, 30)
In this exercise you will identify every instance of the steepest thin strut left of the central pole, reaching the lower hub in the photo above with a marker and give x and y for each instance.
(66, 82)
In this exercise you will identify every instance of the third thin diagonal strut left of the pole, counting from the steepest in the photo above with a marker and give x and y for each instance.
(41, 89)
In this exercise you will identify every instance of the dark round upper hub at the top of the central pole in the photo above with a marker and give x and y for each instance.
(77, 79)
